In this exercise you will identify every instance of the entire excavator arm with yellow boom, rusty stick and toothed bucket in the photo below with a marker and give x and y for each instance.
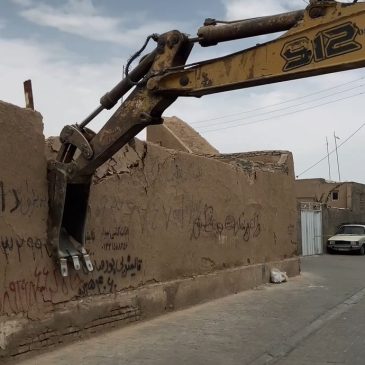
(325, 37)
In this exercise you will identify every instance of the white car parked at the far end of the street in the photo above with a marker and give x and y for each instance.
(349, 237)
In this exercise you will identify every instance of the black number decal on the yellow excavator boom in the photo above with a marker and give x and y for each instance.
(328, 43)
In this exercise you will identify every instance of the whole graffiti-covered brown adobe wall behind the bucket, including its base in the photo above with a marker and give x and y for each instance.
(166, 230)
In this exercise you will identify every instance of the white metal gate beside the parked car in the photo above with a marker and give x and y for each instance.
(311, 222)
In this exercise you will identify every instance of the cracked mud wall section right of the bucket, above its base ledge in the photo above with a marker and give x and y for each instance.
(175, 214)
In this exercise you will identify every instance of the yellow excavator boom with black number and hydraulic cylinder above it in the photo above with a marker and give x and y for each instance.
(326, 37)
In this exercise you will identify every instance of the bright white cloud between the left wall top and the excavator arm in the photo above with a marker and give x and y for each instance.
(63, 92)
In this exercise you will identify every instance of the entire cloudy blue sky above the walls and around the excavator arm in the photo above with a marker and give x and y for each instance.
(74, 51)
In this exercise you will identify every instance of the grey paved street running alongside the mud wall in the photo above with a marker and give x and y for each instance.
(316, 318)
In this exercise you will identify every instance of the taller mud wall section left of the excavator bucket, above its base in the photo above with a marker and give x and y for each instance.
(23, 211)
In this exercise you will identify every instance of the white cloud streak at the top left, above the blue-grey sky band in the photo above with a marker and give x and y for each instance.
(82, 18)
